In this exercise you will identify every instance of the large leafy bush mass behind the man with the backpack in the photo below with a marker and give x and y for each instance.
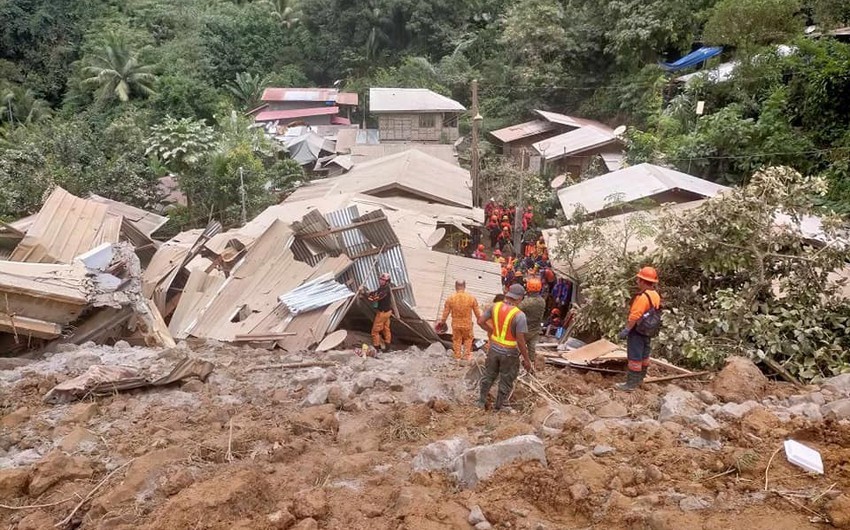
(733, 279)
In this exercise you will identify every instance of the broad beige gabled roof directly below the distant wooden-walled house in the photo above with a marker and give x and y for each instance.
(409, 173)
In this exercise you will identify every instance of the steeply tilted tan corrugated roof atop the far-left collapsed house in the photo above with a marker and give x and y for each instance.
(65, 227)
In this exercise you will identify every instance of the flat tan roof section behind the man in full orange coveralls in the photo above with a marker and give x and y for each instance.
(433, 275)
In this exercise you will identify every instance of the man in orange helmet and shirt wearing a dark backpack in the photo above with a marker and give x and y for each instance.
(644, 320)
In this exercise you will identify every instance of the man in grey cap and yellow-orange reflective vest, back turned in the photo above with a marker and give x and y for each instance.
(506, 325)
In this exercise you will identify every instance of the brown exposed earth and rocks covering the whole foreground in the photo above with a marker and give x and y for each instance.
(354, 446)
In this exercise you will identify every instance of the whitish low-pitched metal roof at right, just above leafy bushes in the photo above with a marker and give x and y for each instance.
(630, 184)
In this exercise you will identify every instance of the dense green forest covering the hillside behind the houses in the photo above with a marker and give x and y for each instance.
(107, 97)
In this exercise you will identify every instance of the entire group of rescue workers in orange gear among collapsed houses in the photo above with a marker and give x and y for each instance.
(516, 319)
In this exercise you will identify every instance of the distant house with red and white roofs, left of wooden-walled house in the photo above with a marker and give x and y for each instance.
(306, 106)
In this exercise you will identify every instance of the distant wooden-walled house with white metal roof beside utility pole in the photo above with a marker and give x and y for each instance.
(414, 115)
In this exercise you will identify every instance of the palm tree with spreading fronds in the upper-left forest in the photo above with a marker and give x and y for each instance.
(115, 72)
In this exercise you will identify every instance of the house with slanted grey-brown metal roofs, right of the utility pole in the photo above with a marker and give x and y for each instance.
(565, 144)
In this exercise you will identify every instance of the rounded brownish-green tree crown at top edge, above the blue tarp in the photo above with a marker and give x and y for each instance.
(744, 23)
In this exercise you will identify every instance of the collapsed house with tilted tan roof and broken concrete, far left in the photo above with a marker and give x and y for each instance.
(72, 273)
